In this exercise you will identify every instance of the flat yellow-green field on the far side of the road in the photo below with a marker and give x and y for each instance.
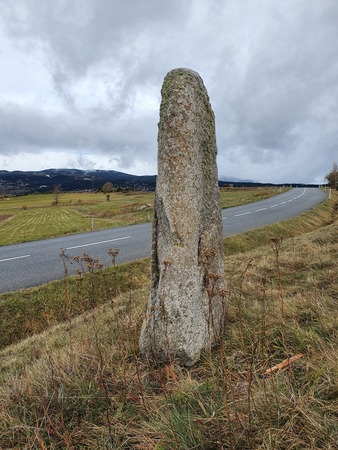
(34, 217)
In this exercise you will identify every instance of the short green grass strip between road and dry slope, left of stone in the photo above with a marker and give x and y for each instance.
(30, 311)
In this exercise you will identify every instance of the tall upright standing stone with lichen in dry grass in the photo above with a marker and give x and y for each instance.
(187, 304)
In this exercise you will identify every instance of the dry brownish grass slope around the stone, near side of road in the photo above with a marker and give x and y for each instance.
(74, 379)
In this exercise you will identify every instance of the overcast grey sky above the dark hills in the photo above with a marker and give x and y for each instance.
(80, 83)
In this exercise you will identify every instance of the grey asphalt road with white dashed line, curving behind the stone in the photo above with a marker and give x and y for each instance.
(38, 262)
